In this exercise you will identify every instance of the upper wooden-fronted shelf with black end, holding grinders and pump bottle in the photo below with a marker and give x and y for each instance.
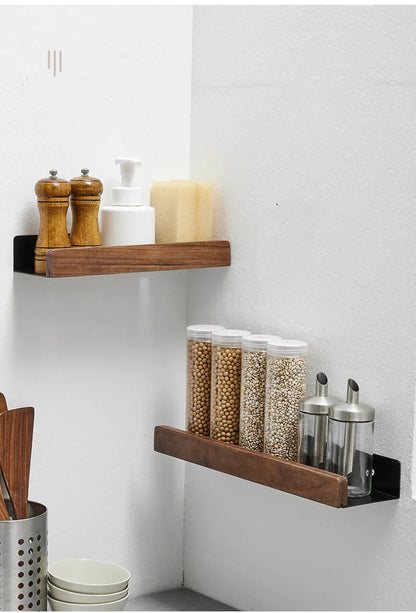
(82, 261)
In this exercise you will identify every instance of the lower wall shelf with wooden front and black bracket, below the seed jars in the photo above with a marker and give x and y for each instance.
(291, 477)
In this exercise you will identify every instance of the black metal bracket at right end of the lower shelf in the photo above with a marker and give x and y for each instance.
(386, 482)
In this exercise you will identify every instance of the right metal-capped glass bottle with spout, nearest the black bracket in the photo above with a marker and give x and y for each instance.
(350, 442)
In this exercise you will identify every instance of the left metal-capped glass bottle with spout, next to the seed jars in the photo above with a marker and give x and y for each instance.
(313, 424)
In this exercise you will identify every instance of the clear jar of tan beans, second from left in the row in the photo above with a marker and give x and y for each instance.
(226, 384)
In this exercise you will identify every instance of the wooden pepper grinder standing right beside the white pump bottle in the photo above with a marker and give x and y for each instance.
(85, 202)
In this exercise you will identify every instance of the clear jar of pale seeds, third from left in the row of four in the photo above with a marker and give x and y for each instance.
(253, 390)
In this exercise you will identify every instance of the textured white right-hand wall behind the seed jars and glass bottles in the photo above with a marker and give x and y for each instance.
(311, 108)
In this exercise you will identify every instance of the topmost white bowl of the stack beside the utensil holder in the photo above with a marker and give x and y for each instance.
(88, 576)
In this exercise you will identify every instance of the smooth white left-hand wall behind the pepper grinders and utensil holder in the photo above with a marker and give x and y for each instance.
(100, 358)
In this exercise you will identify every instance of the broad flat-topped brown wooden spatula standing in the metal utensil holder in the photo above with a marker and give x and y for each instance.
(16, 430)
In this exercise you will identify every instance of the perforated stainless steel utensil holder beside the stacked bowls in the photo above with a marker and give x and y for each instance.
(24, 561)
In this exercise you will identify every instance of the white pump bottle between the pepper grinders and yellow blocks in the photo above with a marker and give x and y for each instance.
(128, 221)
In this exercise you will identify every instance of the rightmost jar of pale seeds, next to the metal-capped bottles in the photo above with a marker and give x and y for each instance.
(286, 385)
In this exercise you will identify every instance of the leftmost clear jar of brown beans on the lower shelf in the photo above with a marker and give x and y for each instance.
(198, 381)
